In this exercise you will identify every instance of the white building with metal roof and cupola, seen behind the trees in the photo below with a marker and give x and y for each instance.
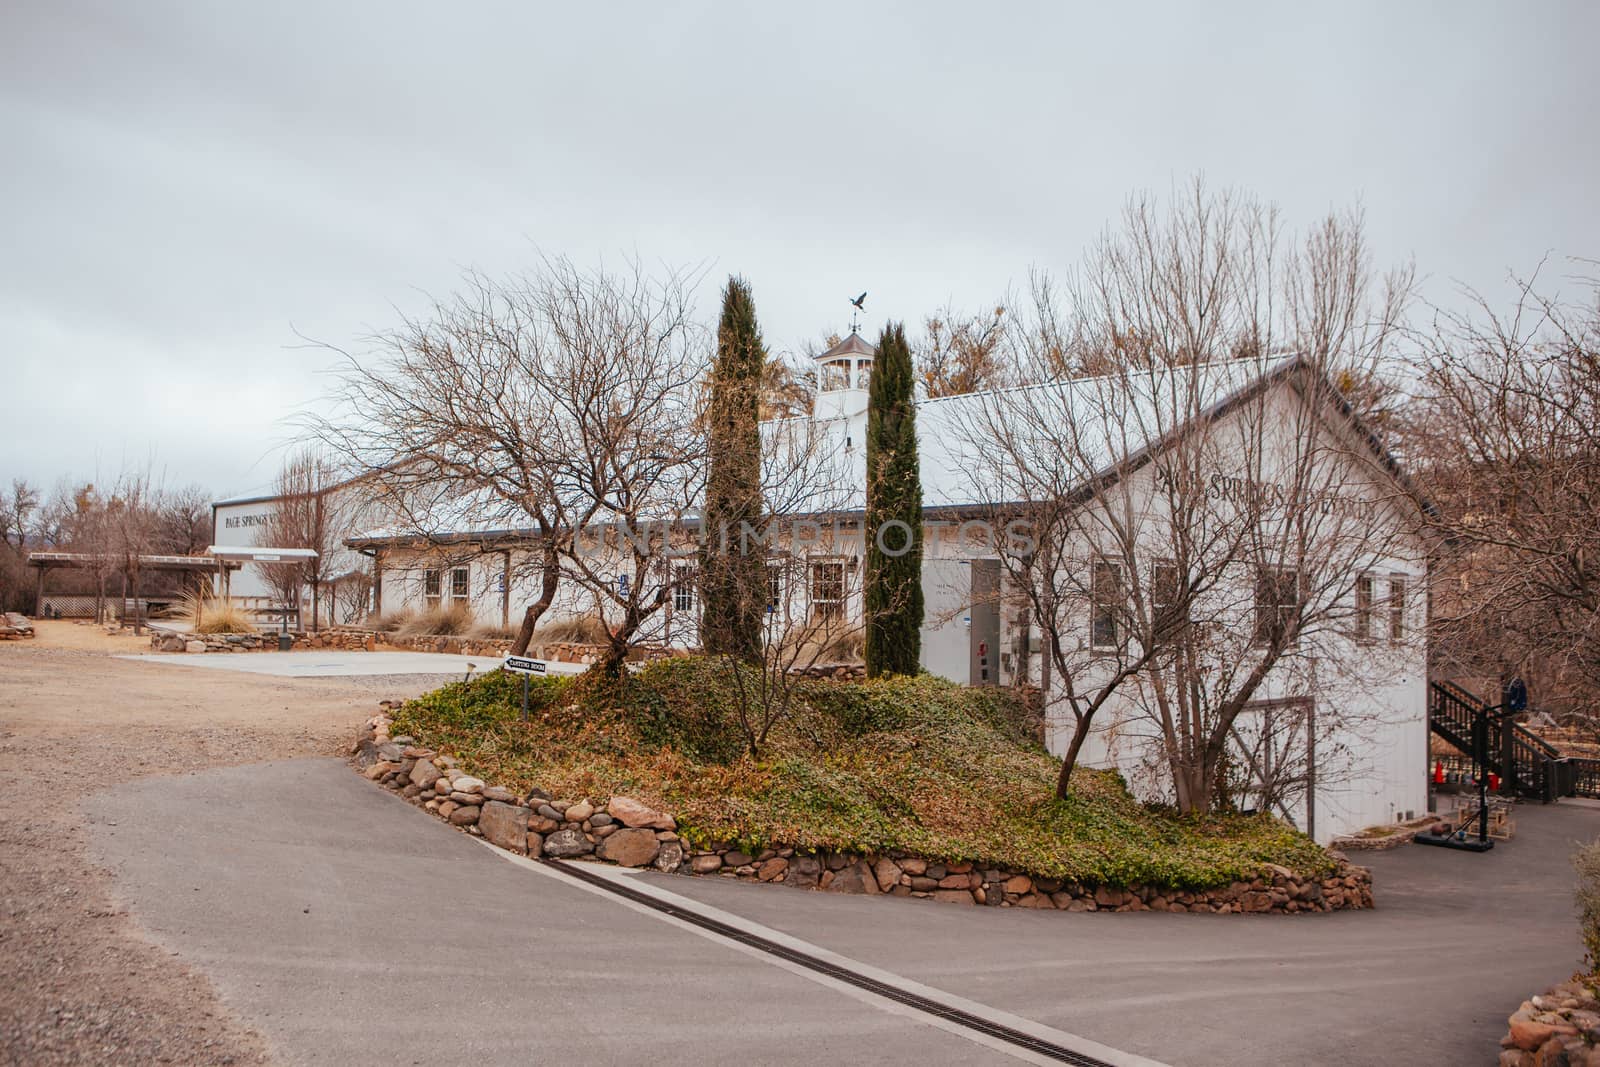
(1348, 706)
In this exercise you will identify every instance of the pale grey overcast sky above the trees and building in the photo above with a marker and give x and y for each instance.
(188, 186)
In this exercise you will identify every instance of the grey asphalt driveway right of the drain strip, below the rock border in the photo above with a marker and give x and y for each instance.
(1457, 943)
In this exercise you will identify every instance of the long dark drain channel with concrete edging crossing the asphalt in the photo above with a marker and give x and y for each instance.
(988, 1028)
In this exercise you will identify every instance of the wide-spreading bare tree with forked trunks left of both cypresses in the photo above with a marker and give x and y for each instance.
(550, 404)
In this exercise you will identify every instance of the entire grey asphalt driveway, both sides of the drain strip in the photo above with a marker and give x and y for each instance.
(353, 929)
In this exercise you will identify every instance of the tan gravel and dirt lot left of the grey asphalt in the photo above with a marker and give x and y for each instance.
(82, 985)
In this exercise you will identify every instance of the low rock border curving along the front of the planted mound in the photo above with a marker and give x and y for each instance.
(631, 834)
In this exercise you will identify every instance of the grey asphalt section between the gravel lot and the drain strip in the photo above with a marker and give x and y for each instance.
(351, 929)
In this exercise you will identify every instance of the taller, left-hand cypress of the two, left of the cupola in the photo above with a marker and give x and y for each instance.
(734, 581)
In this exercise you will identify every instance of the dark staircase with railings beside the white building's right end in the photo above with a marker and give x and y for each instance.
(1526, 764)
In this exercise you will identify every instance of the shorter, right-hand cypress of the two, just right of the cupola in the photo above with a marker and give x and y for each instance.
(894, 521)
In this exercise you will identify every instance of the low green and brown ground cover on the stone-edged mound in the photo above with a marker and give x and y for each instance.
(911, 764)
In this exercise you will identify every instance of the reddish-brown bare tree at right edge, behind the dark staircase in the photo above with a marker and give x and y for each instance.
(1508, 433)
